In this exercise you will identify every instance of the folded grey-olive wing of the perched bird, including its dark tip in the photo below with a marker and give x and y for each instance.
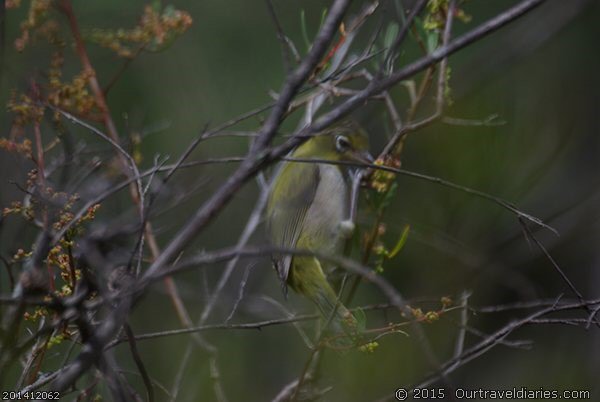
(296, 186)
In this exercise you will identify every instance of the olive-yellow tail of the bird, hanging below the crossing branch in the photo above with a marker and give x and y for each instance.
(308, 278)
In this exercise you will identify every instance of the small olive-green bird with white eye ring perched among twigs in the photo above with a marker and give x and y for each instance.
(308, 209)
